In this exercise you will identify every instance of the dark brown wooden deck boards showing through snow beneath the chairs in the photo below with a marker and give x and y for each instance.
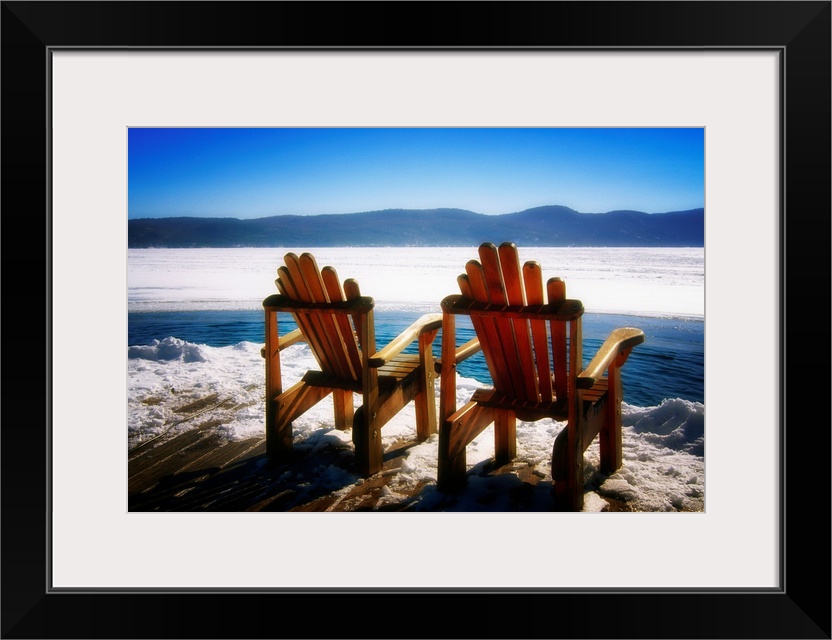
(198, 471)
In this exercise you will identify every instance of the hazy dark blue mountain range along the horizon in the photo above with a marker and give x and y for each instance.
(551, 226)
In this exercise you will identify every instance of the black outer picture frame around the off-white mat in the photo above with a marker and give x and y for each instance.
(800, 31)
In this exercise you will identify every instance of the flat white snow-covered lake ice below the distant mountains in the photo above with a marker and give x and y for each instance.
(638, 281)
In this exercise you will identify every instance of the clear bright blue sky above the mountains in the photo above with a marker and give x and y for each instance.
(252, 173)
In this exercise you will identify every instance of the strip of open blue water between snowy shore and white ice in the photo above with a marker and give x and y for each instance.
(669, 364)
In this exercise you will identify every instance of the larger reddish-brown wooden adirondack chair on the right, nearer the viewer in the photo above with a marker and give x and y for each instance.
(515, 329)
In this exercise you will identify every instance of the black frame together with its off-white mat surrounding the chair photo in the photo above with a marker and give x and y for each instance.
(752, 77)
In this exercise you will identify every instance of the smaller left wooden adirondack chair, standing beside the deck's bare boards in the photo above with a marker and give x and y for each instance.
(337, 322)
